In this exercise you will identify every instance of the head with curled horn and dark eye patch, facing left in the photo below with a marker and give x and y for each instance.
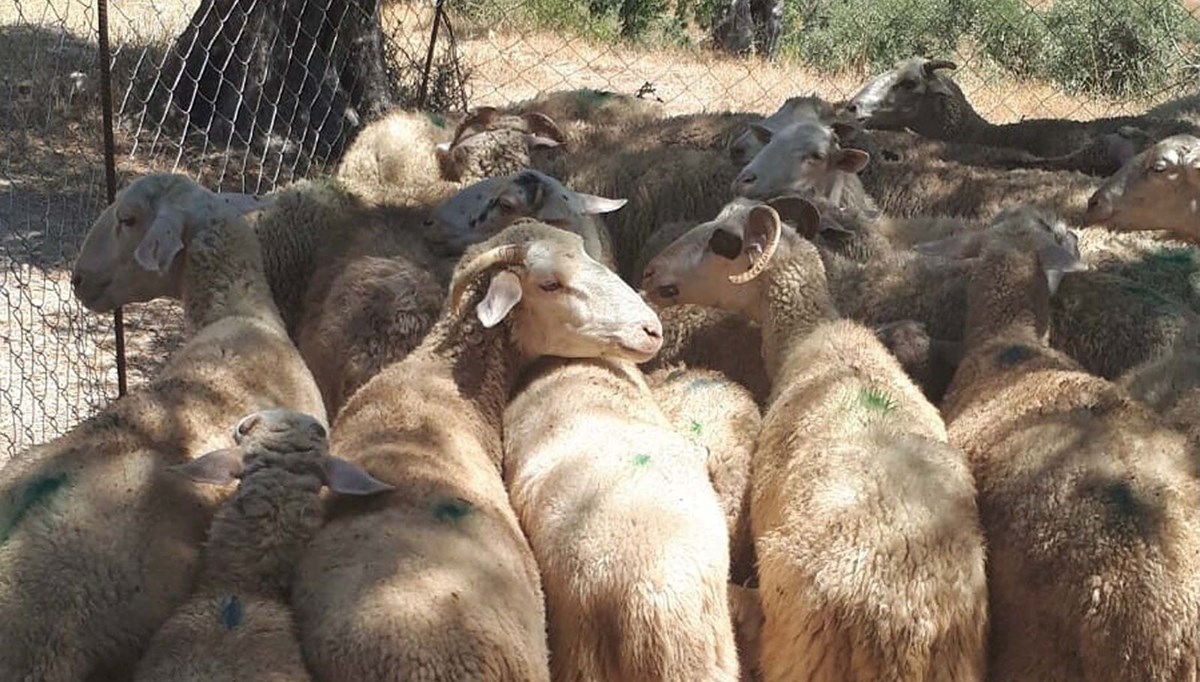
(718, 264)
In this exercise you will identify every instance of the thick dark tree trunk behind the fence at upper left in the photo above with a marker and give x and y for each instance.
(305, 73)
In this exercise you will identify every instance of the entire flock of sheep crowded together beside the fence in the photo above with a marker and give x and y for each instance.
(874, 391)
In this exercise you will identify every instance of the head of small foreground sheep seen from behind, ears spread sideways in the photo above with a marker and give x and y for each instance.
(281, 440)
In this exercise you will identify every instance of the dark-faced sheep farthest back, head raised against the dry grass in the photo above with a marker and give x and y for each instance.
(917, 95)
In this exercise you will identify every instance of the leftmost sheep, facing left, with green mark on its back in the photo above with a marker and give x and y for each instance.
(98, 545)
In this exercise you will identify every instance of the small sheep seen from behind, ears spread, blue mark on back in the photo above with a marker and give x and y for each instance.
(238, 625)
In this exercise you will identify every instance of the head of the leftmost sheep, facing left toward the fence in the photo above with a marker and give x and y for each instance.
(130, 255)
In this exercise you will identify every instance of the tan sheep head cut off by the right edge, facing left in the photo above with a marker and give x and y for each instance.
(1159, 189)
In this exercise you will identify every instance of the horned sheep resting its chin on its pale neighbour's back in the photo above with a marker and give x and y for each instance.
(436, 582)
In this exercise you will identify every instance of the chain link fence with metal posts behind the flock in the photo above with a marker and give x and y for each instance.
(251, 94)
